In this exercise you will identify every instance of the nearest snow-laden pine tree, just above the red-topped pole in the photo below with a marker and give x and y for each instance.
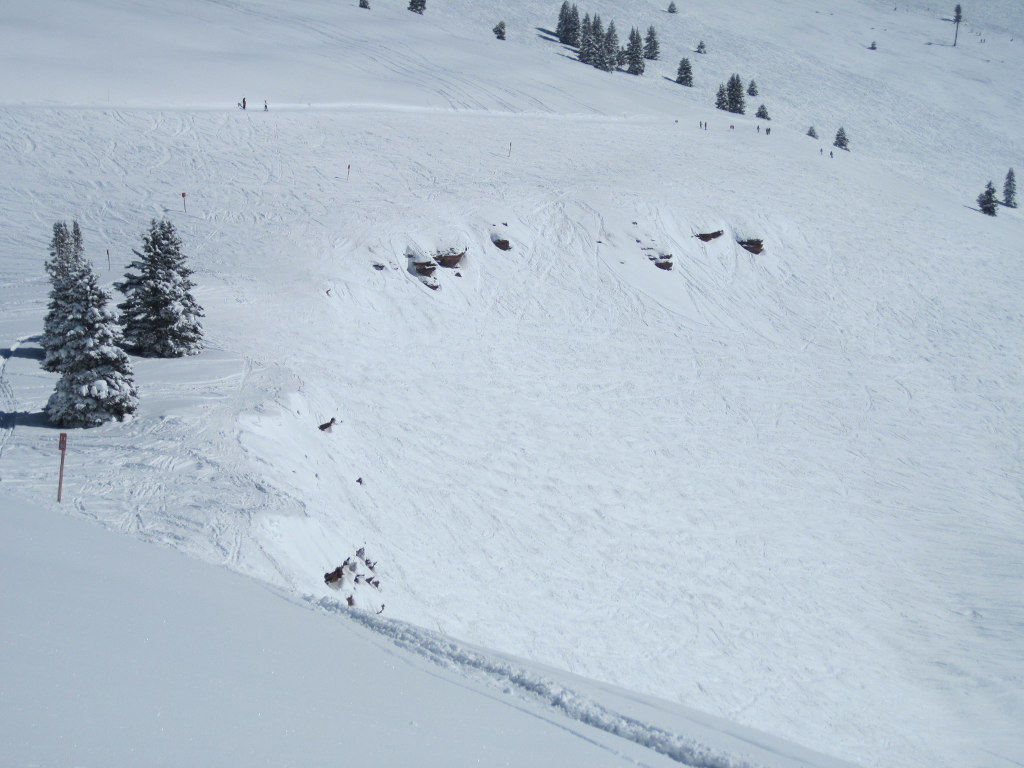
(97, 383)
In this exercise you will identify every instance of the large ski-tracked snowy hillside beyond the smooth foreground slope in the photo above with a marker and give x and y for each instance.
(784, 489)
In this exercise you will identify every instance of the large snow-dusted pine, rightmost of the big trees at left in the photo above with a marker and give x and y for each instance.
(160, 316)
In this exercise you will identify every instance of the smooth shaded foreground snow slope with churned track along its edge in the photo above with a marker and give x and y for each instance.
(162, 661)
